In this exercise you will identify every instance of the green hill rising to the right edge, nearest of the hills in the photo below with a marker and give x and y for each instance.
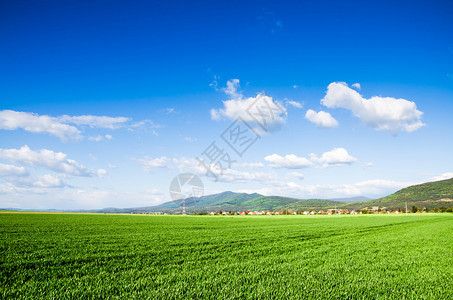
(430, 195)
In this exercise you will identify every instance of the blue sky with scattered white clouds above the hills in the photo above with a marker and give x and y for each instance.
(103, 103)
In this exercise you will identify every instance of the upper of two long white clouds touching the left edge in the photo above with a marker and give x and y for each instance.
(12, 120)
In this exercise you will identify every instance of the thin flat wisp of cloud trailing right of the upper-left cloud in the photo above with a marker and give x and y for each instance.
(95, 121)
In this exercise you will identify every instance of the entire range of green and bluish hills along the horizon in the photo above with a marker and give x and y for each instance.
(430, 195)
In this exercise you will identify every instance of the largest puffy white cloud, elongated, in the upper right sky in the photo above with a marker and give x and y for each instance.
(380, 113)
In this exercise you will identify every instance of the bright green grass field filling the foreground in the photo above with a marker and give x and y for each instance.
(326, 257)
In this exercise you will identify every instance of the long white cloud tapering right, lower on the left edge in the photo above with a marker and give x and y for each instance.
(55, 161)
